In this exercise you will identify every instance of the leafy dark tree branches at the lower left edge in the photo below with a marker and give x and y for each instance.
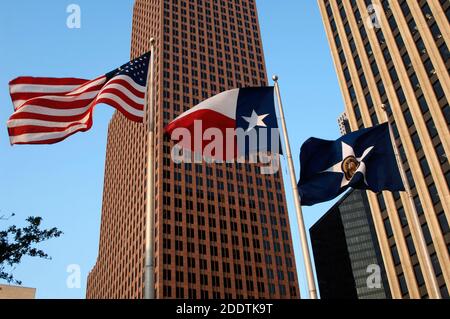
(16, 243)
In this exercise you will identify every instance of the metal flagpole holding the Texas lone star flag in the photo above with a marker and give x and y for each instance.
(298, 208)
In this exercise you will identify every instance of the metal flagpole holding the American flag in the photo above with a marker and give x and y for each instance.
(149, 284)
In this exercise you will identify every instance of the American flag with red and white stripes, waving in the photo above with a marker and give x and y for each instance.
(48, 110)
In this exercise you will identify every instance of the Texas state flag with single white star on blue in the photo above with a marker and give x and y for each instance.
(233, 124)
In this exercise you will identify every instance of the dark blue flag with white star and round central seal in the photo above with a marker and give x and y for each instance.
(362, 160)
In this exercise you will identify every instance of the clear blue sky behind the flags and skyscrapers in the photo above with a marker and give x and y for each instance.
(63, 183)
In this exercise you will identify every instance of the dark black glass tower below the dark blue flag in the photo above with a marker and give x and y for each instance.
(346, 251)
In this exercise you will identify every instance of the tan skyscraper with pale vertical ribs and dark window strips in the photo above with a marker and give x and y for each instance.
(396, 53)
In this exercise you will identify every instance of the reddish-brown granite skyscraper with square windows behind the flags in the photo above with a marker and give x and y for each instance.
(221, 231)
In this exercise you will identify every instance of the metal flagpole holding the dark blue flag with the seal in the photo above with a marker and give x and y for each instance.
(414, 218)
